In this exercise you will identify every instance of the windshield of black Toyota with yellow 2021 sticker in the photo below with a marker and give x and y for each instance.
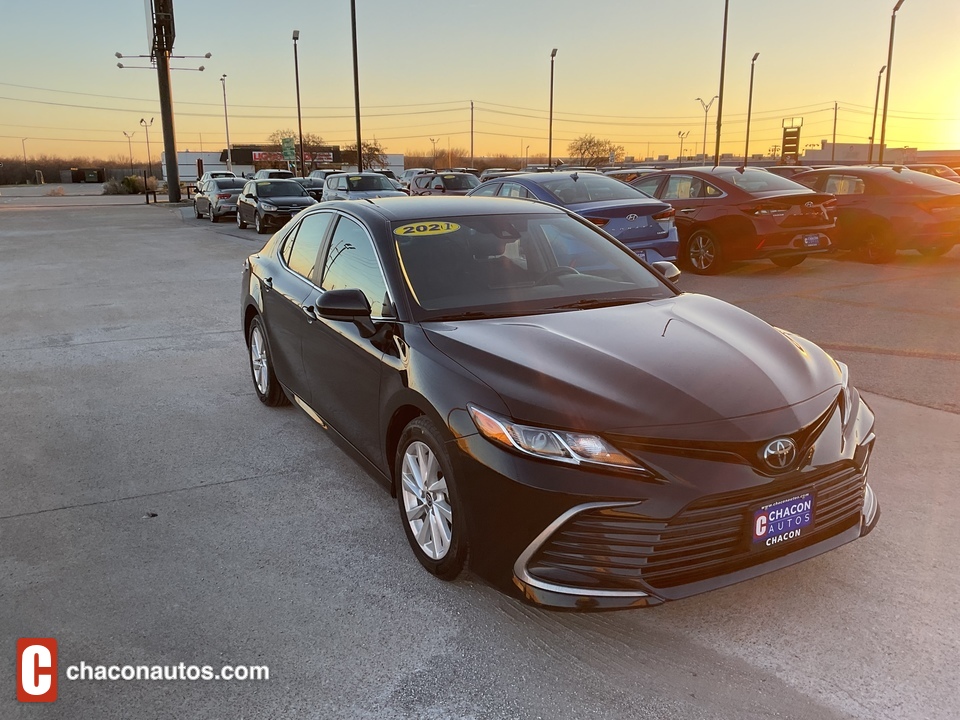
(501, 265)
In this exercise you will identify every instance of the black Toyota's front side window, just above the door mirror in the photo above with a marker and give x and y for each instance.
(352, 263)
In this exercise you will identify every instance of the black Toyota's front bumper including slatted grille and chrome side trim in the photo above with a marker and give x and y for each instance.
(575, 539)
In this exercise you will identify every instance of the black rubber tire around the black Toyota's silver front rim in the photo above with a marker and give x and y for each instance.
(450, 566)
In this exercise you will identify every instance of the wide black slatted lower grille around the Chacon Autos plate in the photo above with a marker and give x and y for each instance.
(615, 548)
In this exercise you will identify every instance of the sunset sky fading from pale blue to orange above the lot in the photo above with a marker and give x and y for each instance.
(626, 71)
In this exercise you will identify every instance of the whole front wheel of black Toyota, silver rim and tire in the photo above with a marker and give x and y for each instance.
(429, 503)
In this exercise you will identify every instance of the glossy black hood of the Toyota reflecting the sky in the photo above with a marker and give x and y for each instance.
(647, 368)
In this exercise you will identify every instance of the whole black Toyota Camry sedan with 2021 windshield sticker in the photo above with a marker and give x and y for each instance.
(544, 403)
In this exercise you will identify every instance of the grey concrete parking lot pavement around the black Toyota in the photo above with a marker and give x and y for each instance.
(153, 512)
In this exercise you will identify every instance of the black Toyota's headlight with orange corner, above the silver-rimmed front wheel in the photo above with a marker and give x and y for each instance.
(559, 445)
